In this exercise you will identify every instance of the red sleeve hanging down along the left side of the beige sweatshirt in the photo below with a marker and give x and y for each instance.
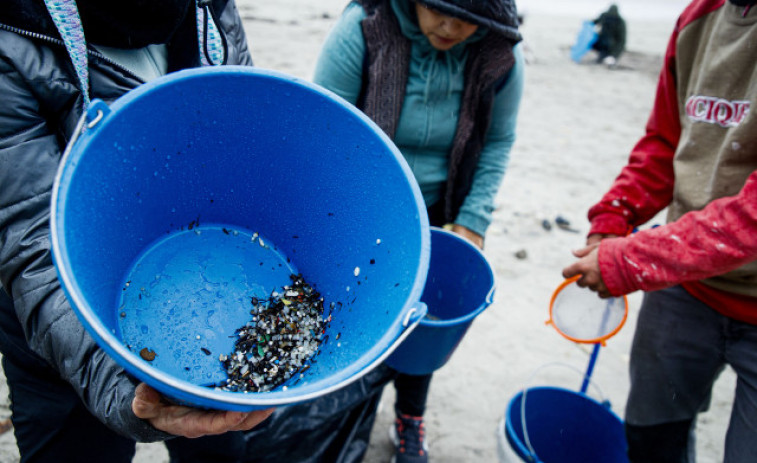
(645, 185)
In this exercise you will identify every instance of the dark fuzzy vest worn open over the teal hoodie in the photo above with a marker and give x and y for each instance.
(385, 79)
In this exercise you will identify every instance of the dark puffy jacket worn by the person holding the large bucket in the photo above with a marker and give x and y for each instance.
(41, 104)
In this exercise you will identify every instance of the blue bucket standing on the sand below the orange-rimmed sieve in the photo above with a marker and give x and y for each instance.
(564, 427)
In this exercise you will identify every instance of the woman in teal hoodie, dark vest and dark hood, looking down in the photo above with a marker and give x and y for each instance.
(443, 78)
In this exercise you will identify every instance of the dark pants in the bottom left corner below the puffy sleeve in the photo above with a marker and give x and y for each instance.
(52, 425)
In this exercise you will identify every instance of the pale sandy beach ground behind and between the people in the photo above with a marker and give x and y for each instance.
(576, 126)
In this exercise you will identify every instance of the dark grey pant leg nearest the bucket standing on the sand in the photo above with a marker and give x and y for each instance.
(677, 354)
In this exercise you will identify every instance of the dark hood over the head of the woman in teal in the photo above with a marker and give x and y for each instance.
(499, 16)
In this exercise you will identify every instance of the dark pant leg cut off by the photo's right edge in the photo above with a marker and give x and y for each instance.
(741, 354)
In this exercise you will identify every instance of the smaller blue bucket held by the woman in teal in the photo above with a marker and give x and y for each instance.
(460, 285)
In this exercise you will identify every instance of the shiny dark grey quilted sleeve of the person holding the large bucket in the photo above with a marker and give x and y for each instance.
(29, 156)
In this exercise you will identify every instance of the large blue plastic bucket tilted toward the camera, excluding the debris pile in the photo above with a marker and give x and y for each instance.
(194, 193)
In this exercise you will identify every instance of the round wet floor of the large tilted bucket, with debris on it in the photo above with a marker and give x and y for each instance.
(207, 269)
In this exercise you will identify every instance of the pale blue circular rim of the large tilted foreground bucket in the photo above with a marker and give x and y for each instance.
(174, 387)
